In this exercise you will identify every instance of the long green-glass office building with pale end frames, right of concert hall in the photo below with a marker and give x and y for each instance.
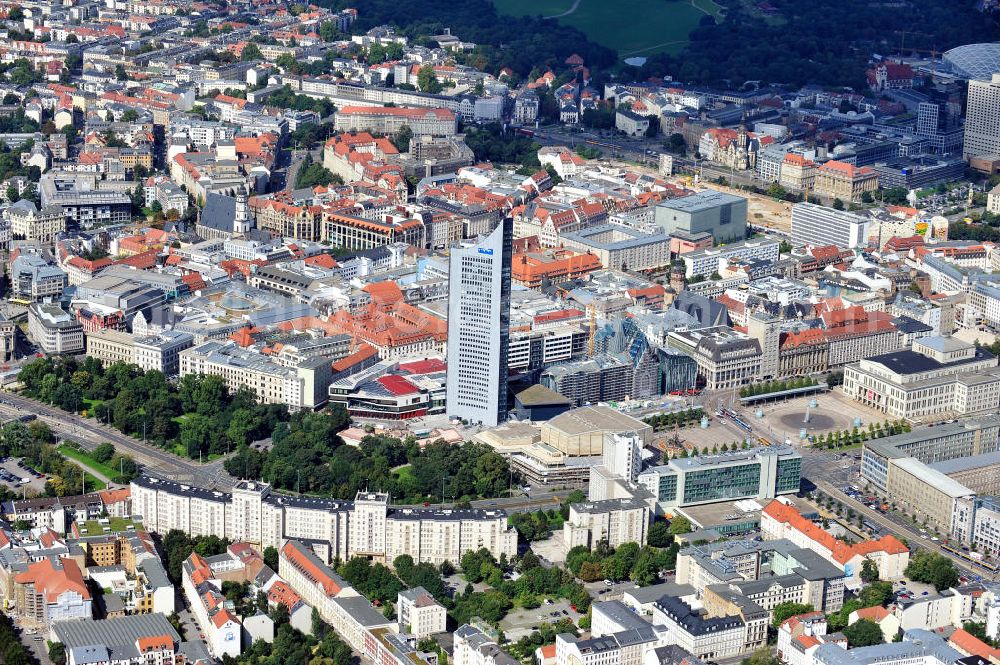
(758, 473)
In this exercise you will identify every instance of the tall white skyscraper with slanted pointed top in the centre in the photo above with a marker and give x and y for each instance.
(479, 327)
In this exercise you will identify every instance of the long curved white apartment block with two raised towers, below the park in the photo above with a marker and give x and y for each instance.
(365, 527)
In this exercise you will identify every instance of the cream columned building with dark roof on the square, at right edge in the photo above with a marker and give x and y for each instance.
(940, 376)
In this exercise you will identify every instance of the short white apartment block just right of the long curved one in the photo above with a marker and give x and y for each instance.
(617, 521)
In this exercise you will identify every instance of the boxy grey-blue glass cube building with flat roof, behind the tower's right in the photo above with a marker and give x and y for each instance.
(722, 215)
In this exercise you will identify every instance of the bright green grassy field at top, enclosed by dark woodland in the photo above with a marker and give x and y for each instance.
(632, 27)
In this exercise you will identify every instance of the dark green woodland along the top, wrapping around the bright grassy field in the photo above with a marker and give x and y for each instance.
(827, 42)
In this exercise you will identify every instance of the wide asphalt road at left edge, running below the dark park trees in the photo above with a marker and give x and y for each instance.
(89, 433)
